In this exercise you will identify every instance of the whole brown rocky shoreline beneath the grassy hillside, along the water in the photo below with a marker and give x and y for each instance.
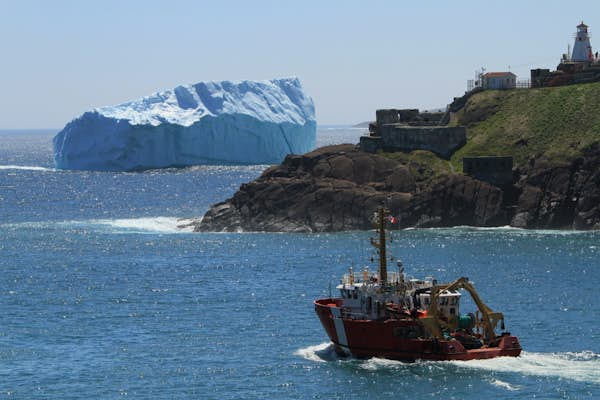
(337, 188)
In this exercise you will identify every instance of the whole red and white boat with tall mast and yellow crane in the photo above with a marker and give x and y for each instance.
(389, 315)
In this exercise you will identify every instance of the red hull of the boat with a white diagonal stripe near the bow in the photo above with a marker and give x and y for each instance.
(387, 338)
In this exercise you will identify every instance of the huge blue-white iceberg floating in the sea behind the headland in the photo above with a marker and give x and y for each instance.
(227, 122)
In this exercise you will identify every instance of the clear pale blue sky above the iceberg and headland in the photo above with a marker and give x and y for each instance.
(60, 58)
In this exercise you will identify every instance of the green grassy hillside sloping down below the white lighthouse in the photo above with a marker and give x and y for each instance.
(553, 122)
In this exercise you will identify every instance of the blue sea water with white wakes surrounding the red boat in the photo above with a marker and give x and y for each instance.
(101, 296)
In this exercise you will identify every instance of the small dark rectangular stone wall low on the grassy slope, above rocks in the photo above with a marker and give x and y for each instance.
(491, 169)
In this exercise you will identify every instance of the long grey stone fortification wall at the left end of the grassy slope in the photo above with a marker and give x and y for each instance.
(442, 141)
